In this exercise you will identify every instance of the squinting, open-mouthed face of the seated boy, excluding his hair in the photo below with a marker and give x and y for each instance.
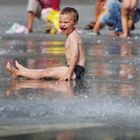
(67, 23)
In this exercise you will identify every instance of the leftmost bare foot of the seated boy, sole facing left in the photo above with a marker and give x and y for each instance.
(12, 70)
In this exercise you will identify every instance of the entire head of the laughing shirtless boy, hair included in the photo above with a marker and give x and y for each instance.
(68, 19)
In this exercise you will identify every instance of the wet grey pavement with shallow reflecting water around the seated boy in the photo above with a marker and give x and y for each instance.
(104, 105)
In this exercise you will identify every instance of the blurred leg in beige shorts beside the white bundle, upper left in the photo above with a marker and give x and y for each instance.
(34, 10)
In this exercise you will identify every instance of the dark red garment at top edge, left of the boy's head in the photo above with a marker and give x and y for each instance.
(54, 4)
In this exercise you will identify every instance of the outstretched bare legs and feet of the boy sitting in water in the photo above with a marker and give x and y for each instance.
(21, 71)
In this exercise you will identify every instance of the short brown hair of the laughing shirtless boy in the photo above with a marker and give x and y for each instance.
(71, 10)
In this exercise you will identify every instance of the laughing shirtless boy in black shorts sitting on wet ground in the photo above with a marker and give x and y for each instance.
(74, 52)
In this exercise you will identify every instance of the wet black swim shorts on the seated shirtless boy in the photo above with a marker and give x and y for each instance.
(79, 71)
